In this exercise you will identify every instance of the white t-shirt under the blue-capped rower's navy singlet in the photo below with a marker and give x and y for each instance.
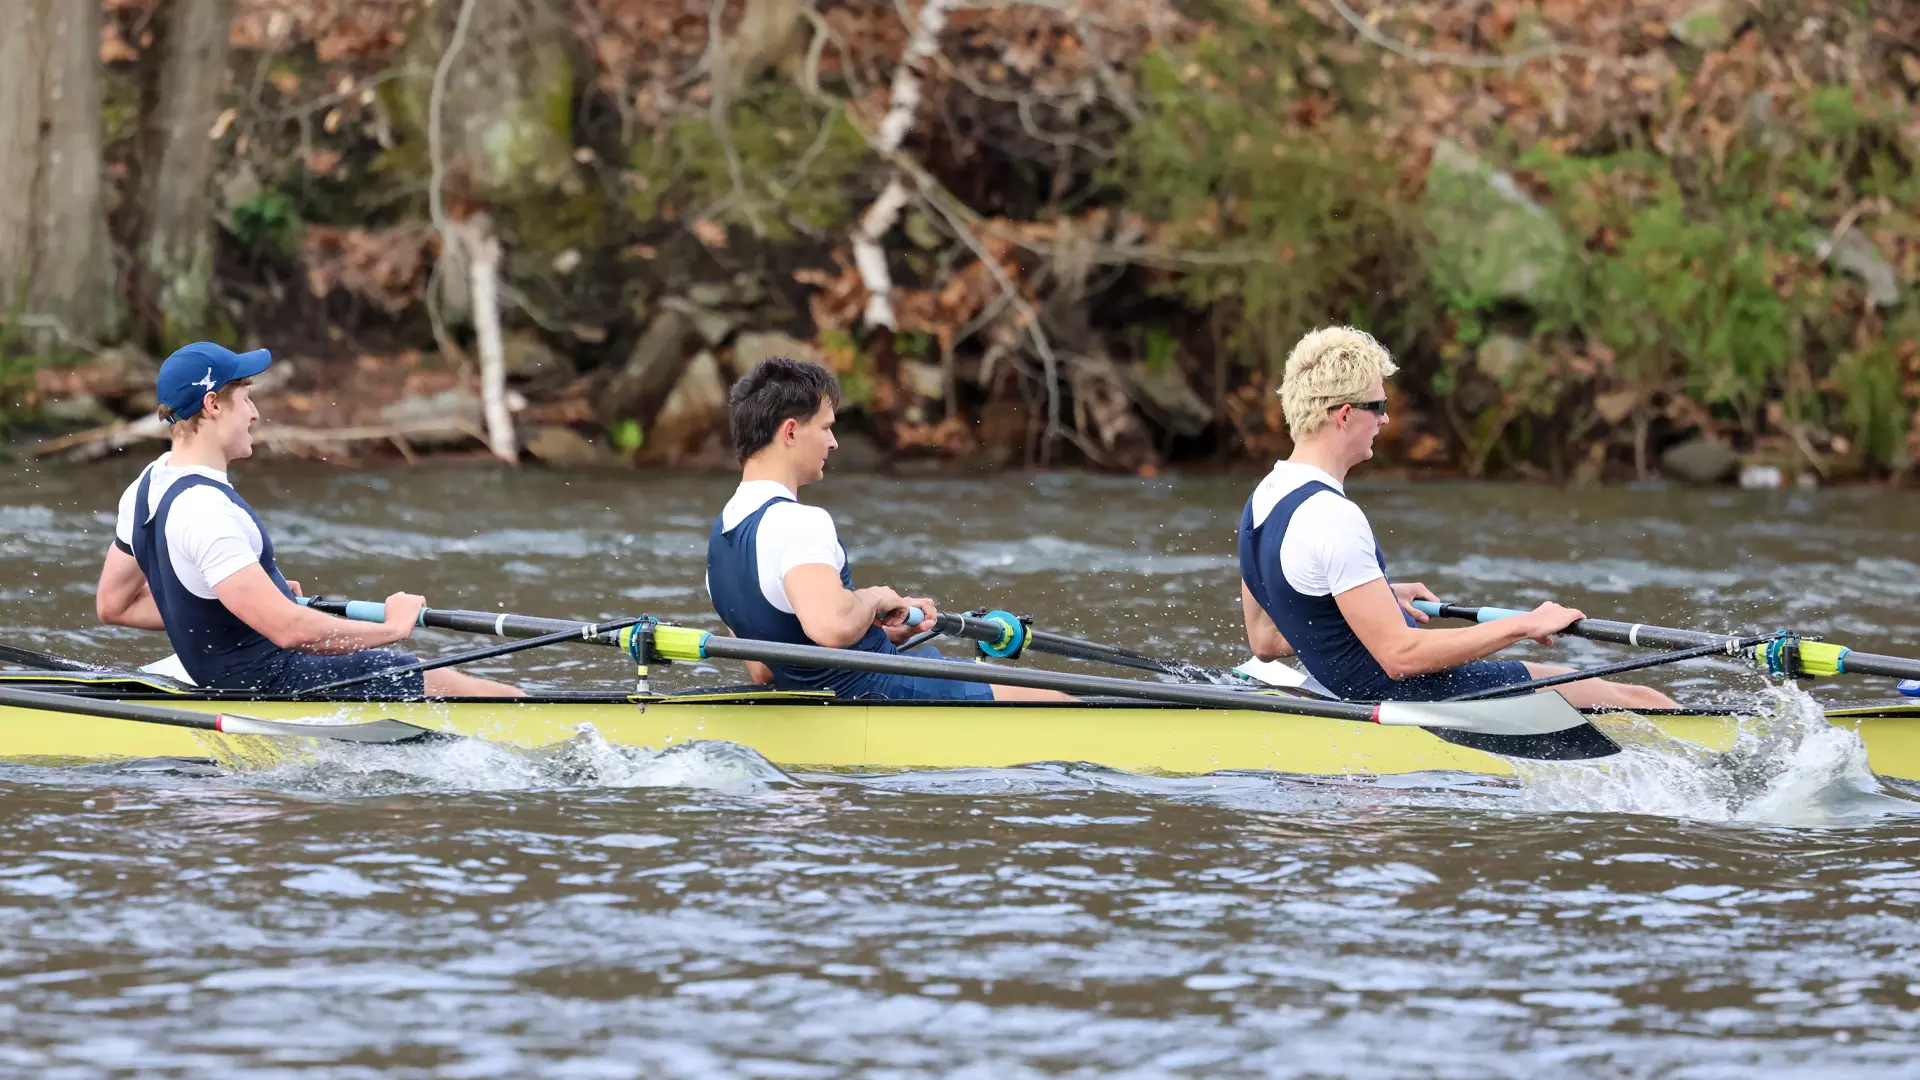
(208, 535)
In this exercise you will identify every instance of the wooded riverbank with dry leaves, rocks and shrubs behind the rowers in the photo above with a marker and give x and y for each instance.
(1606, 241)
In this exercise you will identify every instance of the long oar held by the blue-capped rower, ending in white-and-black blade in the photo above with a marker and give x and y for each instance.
(1539, 727)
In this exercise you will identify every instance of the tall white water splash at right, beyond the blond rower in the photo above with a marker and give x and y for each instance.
(1785, 768)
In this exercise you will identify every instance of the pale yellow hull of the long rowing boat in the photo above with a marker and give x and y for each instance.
(807, 731)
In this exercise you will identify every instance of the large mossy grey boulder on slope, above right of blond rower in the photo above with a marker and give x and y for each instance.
(1493, 241)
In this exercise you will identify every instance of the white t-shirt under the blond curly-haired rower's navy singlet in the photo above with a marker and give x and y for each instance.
(1330, 547)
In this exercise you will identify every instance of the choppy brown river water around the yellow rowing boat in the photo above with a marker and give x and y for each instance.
(600, 912)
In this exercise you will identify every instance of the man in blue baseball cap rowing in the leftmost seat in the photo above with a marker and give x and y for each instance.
(193, 558)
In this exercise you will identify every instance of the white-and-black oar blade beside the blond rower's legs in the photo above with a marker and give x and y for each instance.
(1541, 727)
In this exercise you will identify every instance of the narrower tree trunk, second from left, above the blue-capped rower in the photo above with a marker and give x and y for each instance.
(181, 99)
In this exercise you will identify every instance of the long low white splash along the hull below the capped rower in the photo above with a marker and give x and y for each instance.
(477, 766)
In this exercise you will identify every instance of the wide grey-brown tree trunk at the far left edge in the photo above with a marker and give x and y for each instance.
(55, 262)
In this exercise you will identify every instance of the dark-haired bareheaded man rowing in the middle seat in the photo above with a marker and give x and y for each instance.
(777, 570)
